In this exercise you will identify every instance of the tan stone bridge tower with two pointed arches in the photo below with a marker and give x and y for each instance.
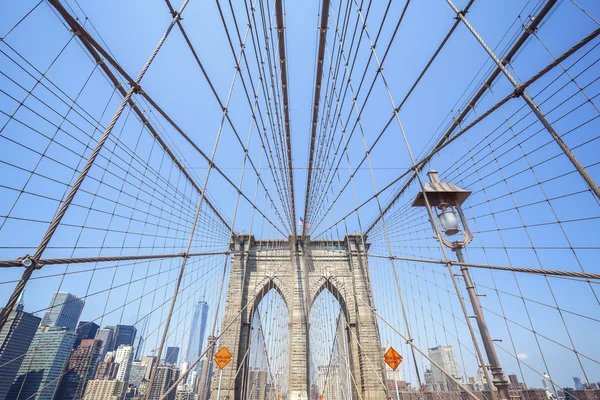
(299, 273)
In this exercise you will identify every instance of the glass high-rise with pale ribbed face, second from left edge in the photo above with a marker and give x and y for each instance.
(43, 364)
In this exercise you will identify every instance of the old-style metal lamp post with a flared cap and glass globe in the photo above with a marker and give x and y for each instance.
(448, 198)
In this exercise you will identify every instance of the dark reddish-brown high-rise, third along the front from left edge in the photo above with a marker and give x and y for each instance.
(80, 370)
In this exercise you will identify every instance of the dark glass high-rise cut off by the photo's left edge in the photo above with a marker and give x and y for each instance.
(15, 337)
